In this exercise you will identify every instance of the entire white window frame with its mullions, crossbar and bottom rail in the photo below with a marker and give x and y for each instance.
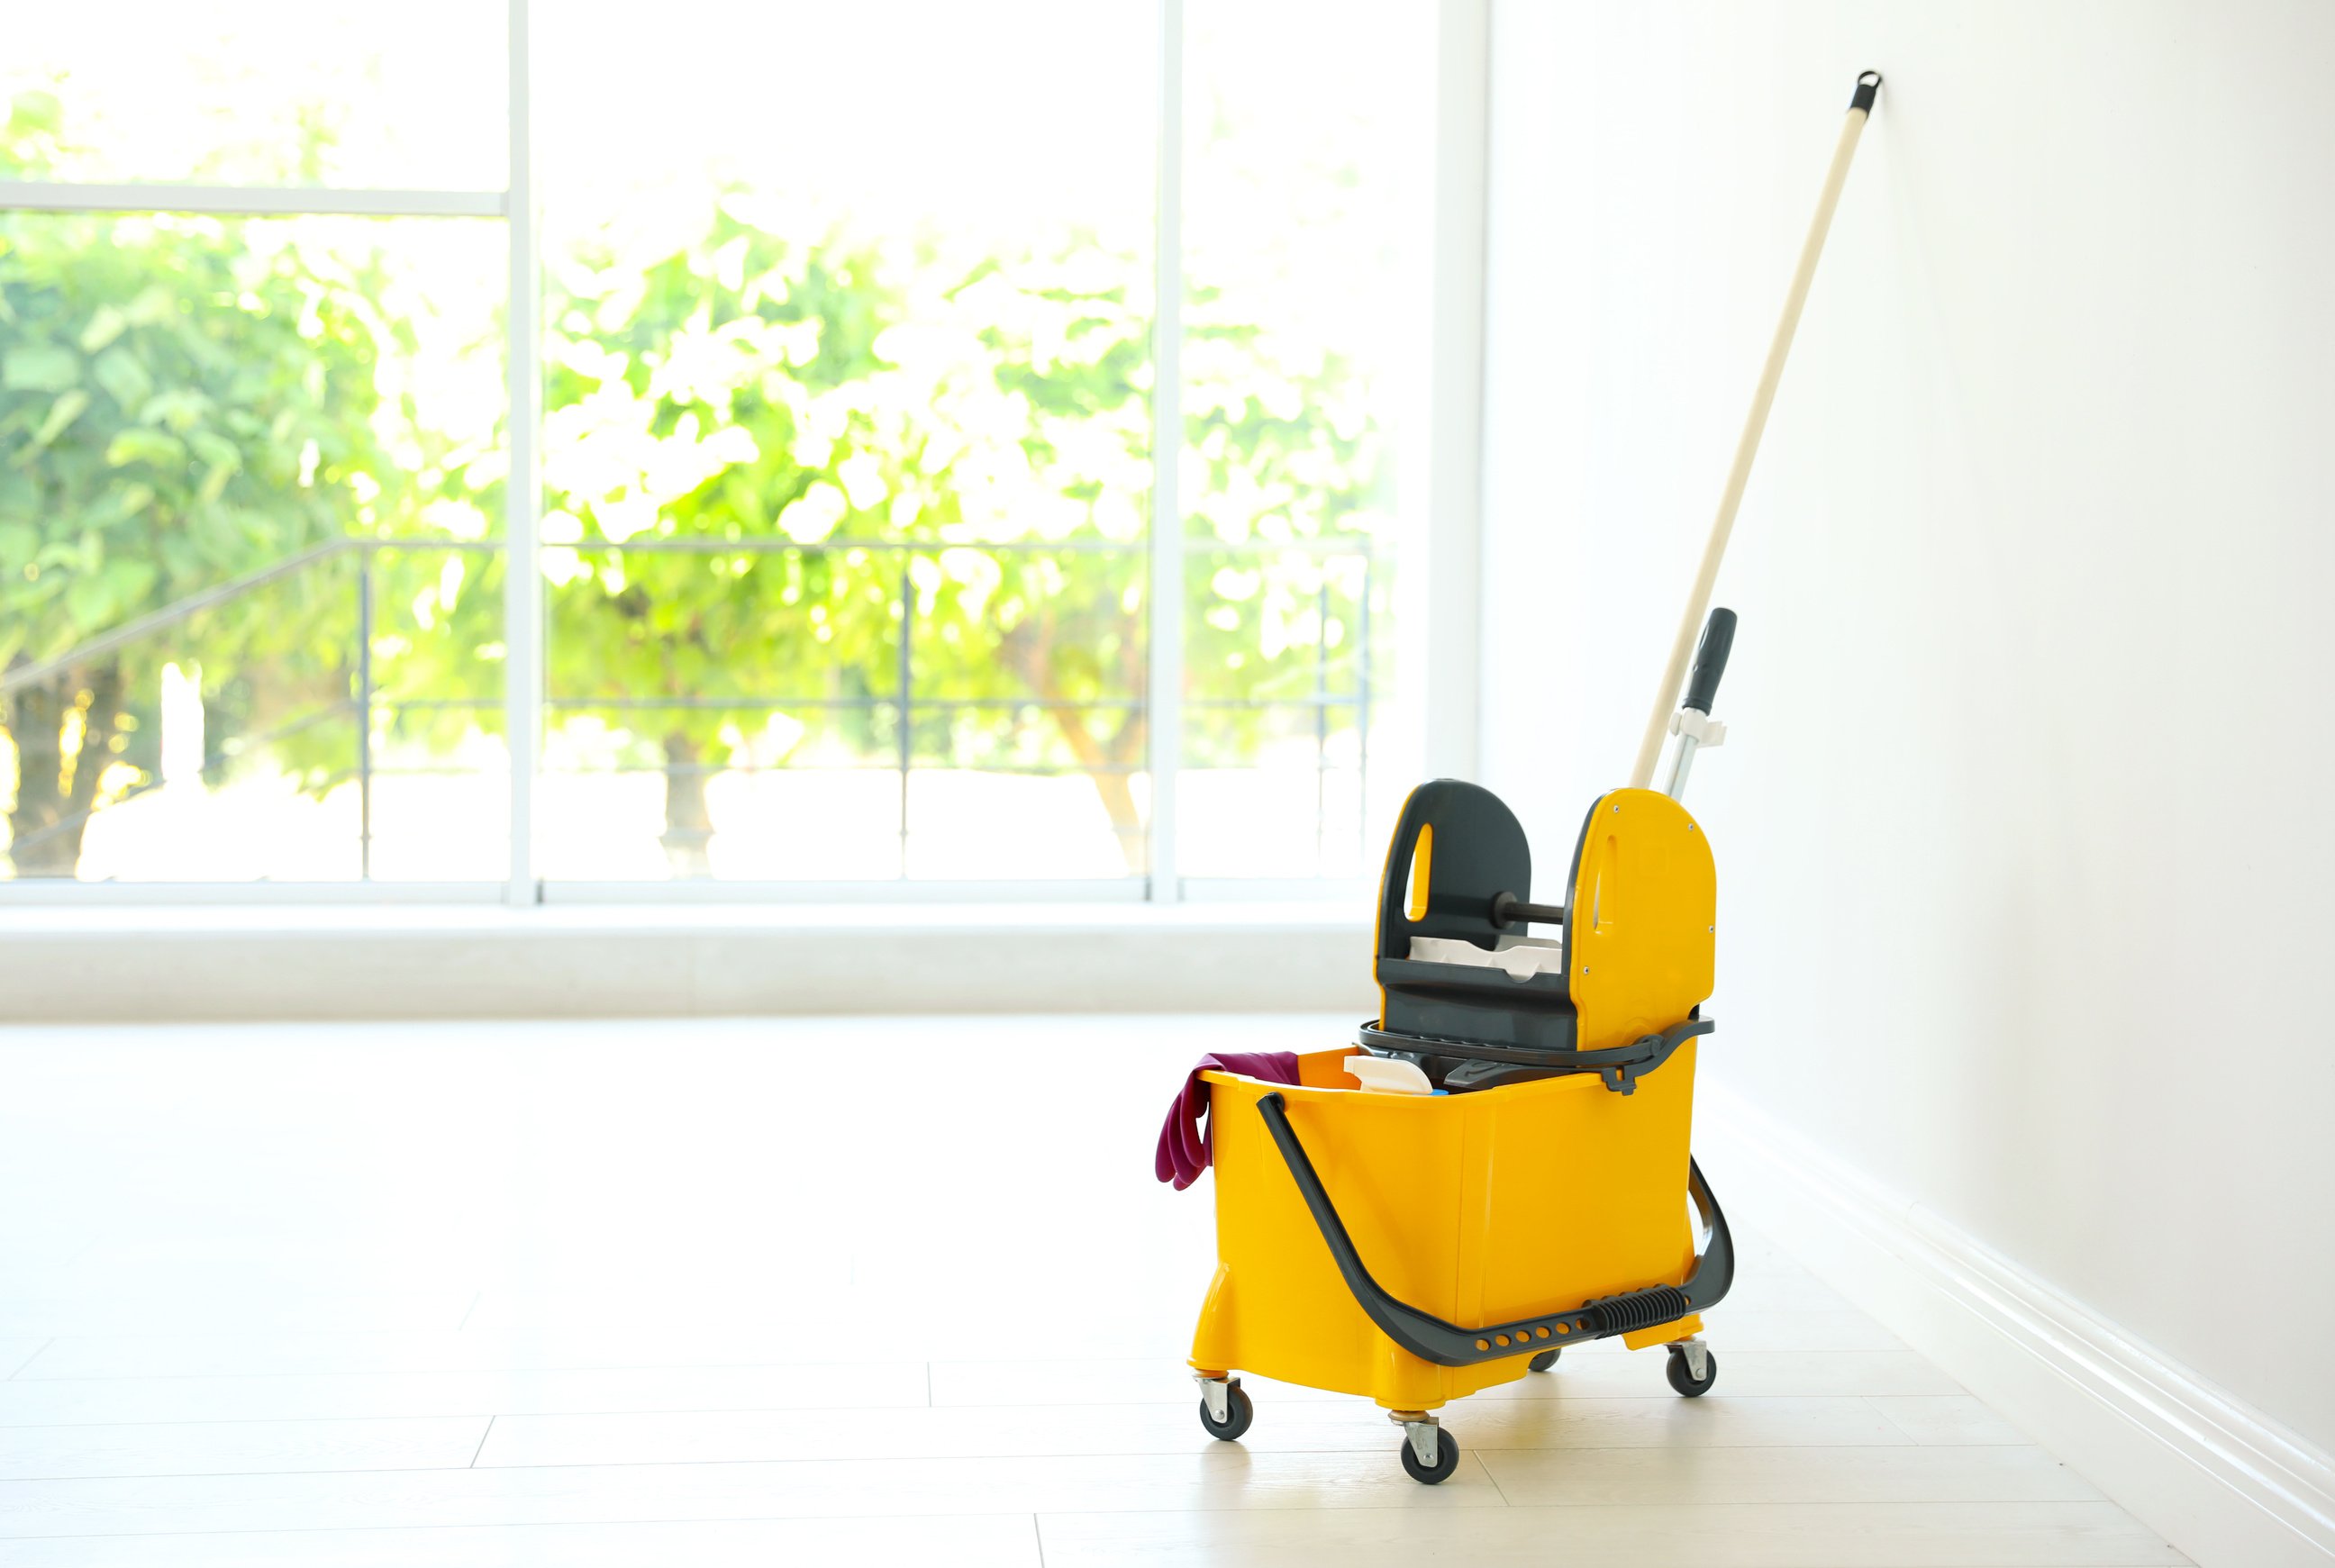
(1437, 505)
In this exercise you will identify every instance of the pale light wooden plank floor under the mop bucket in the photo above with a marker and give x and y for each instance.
(839, 1291)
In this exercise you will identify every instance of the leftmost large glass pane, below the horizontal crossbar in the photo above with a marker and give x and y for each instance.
(207, 428)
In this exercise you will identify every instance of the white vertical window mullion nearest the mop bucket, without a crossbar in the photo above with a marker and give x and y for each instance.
(1164, 696)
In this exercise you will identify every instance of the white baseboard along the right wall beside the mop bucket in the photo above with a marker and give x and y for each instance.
(2212, 1476)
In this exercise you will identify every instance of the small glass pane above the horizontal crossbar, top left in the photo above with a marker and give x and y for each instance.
(258, 92)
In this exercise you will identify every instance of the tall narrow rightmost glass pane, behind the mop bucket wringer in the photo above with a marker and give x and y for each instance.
(1306, 321)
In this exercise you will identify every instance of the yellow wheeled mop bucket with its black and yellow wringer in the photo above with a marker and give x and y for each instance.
(1421, 1247)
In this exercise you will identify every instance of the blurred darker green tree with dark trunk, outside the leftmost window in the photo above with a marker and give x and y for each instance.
(179, 407)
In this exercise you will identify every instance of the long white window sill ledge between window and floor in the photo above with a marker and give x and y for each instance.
(351, 962)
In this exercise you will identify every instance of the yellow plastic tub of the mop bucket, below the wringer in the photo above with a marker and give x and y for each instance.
(1517, 1205)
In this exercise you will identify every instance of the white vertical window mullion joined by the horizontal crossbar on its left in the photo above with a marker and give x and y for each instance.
(522, 582)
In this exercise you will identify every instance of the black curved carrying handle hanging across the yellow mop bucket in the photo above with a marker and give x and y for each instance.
(1449, 1345)
